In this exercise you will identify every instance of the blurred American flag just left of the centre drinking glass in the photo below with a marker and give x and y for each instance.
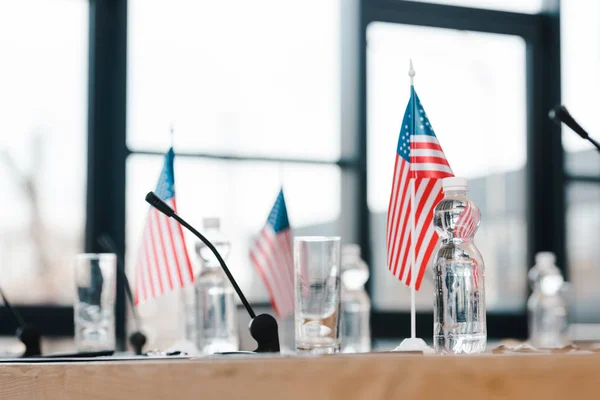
(272, 257)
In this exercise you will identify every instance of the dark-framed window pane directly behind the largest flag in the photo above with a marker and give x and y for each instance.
(476, 103)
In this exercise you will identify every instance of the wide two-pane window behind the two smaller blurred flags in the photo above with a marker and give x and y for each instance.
(253, 96)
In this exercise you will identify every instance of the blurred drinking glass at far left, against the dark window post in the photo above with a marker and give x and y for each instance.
(95, 282)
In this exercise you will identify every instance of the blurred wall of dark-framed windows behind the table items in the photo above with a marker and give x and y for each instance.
(308, 94)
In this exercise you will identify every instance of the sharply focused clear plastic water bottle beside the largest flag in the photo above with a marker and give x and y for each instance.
(458, 272)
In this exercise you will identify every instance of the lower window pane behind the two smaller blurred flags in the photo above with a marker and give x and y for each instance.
(242, 193)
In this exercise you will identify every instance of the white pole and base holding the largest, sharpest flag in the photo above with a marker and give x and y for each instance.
(414, 343)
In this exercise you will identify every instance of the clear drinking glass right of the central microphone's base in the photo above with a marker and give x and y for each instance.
(318, 292)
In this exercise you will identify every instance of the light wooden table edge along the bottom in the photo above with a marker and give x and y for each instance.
(371, 376)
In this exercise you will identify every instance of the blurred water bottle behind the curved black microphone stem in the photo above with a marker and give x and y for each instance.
(216, 322)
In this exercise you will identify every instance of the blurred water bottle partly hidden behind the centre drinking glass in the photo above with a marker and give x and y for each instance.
(356, 306)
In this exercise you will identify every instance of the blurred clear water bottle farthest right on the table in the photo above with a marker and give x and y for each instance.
(547, 306)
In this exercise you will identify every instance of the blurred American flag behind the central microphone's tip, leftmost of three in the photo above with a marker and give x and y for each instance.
(163, 263)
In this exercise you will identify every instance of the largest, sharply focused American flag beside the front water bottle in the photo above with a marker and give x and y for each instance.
(416, 190)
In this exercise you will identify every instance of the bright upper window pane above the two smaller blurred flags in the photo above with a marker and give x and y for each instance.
(250, 81)
